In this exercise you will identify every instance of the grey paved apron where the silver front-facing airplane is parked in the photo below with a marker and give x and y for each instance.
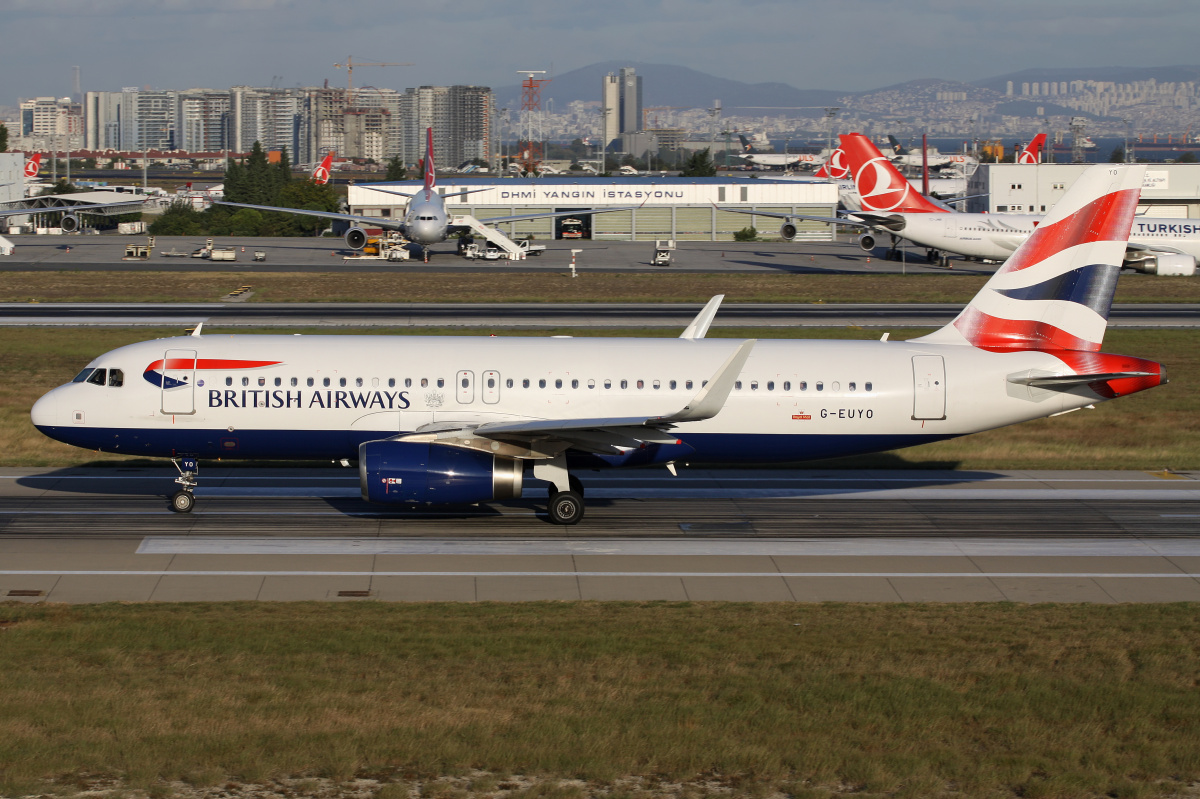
(46, 254)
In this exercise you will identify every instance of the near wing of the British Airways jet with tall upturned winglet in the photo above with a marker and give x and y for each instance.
(603, 435)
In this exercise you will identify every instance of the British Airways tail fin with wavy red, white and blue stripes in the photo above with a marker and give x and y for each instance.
(1055, 292)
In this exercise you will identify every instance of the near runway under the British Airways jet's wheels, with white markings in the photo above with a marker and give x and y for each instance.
(93, 536)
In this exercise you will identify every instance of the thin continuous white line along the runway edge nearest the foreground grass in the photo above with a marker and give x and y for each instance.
(44, 573)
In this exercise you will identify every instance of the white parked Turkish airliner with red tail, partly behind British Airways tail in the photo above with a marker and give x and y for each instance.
(892, 207)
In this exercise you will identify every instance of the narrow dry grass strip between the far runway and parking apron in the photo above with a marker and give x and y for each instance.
(484, 287)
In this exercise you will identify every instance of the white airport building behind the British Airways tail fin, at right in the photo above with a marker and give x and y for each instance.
(1172, 190)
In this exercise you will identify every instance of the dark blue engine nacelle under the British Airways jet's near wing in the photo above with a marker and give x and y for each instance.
(413, 472)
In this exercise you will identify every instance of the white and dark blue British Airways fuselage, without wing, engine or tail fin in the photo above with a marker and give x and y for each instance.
(322, 397)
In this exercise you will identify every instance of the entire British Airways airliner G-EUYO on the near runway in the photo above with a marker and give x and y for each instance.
(457, 420)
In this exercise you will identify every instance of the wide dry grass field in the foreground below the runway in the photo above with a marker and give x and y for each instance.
(976, 701)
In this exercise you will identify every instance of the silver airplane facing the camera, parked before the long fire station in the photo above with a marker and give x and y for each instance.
(425, 223)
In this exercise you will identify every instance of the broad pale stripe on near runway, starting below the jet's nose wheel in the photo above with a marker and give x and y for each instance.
(670, 548)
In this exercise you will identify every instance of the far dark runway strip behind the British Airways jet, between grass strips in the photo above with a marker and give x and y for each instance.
(531, 315)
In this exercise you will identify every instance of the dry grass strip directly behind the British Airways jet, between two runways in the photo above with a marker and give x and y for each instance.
(1153, 430)
